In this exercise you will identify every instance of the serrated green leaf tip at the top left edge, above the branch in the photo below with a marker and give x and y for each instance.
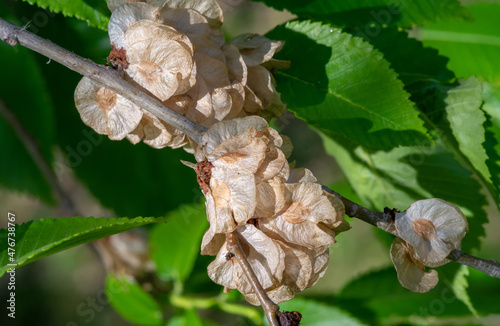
(95, 16)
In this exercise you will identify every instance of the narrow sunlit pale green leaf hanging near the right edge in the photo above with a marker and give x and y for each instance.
(466, 121)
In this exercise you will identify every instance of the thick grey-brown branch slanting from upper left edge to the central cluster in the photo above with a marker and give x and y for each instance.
(102, 75)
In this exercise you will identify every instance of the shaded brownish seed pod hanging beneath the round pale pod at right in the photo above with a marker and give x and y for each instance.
(411, 272)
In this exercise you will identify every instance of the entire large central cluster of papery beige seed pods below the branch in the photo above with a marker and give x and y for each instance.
(247, 192)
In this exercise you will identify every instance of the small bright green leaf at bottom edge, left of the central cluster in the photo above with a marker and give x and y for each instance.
(132, 302)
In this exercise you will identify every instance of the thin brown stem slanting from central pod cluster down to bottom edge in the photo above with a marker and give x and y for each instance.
(270, 308)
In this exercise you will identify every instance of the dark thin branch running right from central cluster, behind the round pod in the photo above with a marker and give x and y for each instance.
(385, 220)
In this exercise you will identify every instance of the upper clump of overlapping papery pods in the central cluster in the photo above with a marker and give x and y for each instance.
(242, 157)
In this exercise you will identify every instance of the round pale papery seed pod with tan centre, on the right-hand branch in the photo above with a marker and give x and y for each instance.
(434, 228)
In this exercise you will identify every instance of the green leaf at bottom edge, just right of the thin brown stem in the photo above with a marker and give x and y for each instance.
(319, 314)
